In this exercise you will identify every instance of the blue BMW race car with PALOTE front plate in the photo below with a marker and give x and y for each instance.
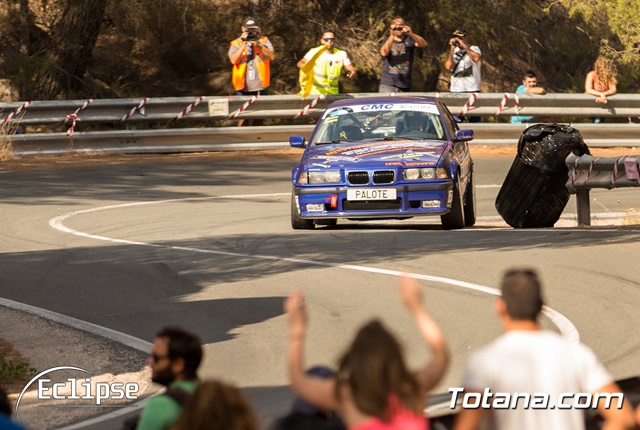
(384, 158)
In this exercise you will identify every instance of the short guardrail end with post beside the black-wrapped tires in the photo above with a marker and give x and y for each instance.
(587, 172)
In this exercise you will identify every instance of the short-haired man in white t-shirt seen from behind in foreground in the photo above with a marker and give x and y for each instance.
(527, 359)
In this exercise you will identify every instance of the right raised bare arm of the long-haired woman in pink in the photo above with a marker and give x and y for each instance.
(431, 373)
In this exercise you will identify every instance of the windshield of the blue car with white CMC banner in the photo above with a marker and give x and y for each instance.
(384, 121)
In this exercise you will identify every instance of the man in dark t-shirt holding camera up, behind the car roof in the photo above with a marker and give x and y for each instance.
(397, 51)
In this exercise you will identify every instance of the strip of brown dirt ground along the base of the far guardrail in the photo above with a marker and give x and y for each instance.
(99, 159)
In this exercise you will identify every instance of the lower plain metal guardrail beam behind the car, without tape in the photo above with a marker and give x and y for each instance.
(264, 137)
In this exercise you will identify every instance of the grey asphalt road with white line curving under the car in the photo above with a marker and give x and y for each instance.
(209, 246)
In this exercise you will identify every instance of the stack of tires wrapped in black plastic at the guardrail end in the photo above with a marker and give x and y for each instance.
(533, 194)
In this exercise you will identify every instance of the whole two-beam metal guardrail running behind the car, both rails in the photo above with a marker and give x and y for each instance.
(123, 115)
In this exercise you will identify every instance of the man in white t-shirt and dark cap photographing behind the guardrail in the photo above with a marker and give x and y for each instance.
(464, 63)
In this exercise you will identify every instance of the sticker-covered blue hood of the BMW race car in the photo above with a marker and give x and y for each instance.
(390, 153)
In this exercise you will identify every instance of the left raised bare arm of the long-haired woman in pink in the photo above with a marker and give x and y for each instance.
(318, 392)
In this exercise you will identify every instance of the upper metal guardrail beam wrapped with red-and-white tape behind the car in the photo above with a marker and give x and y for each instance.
(288, 106)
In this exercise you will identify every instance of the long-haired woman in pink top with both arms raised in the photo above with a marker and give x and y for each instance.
(373, 387)
